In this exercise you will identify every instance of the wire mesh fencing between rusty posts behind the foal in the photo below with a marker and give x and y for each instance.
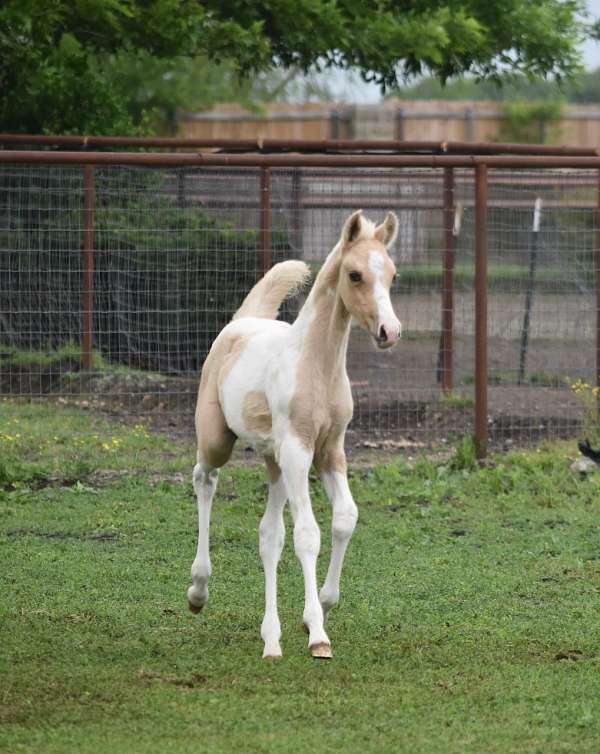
(176, 249)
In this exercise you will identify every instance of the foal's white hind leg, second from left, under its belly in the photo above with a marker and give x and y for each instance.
(272, 536)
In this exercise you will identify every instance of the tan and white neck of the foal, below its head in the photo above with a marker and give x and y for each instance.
(323, 324)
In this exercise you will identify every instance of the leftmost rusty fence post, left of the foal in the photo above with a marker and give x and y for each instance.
(87, 309)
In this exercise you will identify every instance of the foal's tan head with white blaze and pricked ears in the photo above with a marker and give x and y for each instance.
(366, 275)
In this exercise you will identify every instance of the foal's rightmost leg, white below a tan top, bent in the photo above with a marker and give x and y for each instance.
(345, 515)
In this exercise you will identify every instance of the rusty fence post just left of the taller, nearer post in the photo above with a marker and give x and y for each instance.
(447, 360)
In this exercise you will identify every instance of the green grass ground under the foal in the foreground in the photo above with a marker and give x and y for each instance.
(468, 621)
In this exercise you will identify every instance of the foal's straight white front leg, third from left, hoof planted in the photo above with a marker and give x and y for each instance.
(295, 461)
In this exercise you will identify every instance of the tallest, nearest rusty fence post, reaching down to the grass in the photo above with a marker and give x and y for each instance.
(481, 366)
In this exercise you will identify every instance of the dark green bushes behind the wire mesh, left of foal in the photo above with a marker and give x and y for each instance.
(163, 282)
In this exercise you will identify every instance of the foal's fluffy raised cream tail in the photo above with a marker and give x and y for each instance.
(282, 280)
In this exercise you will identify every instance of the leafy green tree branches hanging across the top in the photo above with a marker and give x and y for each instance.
(58, 57)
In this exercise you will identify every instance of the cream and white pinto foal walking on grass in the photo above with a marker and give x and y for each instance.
(284, 390)
